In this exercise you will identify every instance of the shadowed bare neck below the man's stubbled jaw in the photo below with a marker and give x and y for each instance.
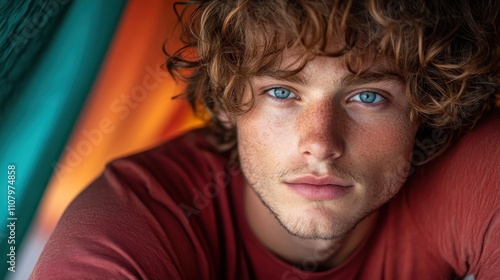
(306, 253)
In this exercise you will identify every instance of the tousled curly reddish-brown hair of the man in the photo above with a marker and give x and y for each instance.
(447, 51)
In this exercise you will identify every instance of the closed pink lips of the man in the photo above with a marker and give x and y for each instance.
(319, 188)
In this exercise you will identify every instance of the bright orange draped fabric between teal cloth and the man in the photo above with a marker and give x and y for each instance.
(130, 107)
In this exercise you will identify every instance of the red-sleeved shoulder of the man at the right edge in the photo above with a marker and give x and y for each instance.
(455, 200)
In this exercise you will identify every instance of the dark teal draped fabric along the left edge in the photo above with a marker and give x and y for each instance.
(48, 79)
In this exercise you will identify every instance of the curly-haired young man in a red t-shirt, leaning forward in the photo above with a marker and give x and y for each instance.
(320, 113)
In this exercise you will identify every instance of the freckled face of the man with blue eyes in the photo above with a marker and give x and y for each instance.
(323, 150)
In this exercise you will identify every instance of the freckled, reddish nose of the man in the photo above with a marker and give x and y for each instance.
(321, 132)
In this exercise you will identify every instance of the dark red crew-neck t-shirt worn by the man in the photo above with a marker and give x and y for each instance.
(176, 212)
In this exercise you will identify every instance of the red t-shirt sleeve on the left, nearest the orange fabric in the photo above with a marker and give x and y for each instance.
(112, 230)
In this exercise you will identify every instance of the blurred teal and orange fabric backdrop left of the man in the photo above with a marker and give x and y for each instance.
(81, 83)
